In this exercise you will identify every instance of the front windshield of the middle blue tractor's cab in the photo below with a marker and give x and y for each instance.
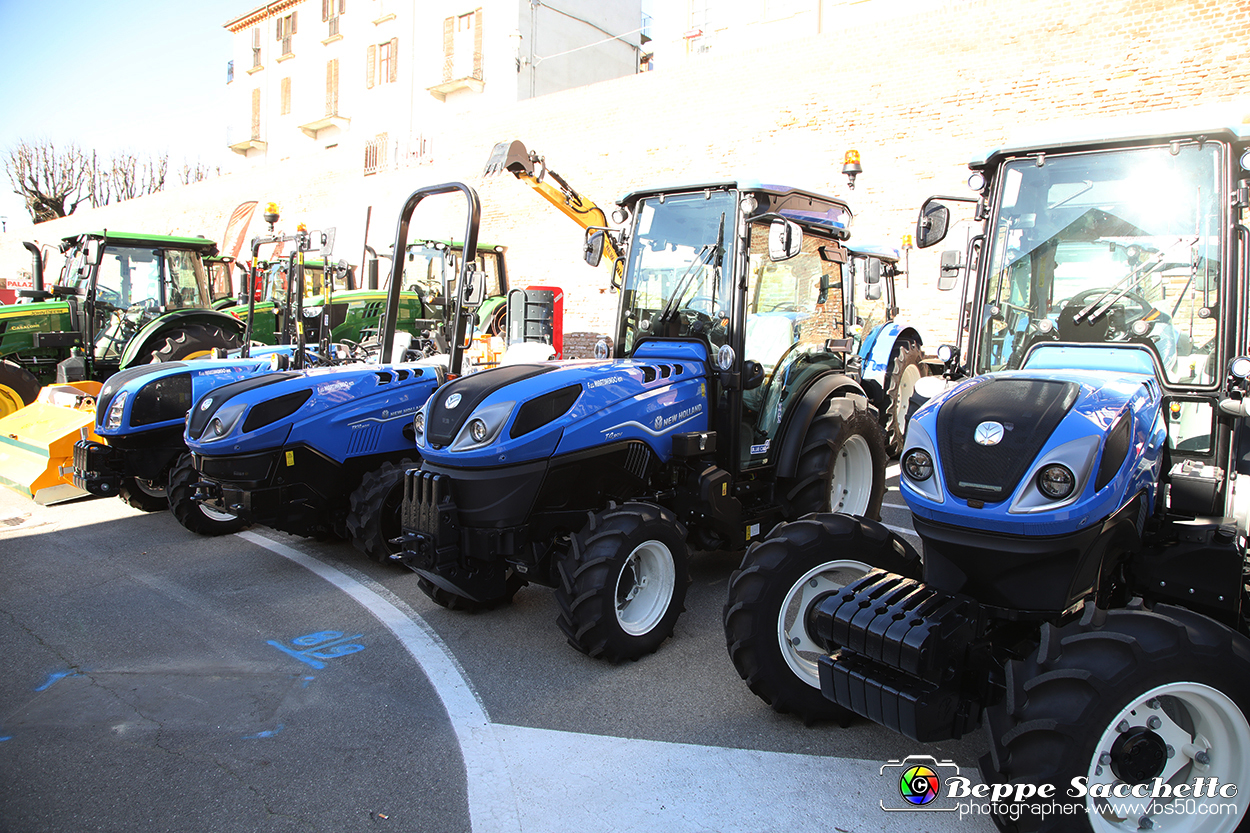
(674, 282)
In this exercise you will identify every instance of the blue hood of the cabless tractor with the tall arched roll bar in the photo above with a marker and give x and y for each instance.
(338, 412)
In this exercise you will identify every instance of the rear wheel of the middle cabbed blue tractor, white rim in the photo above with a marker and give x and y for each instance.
(842, 466)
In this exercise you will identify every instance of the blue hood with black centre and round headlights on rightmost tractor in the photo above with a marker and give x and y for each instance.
(1034, 452)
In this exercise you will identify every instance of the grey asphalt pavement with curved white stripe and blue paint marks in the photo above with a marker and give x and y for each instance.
(159, 681)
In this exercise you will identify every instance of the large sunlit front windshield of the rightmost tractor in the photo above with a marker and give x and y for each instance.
(1108, 248)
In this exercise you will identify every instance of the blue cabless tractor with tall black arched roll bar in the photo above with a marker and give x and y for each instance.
(322, 452)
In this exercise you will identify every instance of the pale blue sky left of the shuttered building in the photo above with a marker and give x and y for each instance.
(139, 76)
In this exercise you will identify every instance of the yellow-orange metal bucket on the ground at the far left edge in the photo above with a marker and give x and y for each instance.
(38, 441)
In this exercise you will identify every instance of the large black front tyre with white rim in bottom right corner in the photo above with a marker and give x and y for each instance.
(1127, 697)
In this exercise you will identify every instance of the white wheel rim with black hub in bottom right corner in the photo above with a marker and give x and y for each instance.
(1177, 732)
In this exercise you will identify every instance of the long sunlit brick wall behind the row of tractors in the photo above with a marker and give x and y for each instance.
(918, 94)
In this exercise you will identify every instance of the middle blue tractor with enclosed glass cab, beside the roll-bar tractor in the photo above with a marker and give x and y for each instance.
(728, 401)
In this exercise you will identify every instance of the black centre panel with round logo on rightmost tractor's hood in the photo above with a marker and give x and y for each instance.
(1029, 412)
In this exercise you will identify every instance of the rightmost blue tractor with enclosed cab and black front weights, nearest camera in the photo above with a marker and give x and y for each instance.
(1083, 491)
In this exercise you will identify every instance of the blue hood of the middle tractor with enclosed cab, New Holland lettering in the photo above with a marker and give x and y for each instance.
(522, 413)
